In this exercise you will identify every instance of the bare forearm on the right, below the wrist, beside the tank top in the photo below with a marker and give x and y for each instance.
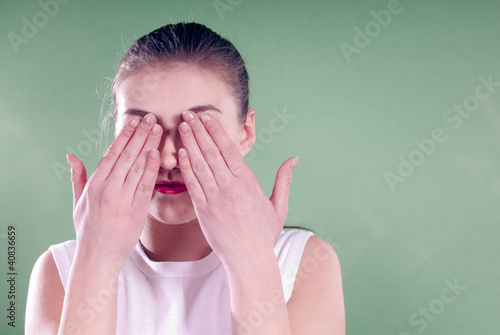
(257, 302)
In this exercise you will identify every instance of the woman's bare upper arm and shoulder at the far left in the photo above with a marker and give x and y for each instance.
(45, 297)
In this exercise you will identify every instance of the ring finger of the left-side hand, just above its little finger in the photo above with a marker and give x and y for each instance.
(138, 168)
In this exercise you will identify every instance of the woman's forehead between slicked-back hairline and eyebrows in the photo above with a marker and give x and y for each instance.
(166, 91)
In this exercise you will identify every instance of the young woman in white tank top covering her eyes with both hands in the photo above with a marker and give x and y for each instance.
(174, 234)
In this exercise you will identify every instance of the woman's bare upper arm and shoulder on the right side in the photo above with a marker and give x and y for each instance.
(317, 302)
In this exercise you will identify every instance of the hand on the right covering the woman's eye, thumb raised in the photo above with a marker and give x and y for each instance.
(233, 211)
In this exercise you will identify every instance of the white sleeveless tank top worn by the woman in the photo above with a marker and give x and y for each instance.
(177, 298)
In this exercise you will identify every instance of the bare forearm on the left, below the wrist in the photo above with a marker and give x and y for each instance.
(90, 302)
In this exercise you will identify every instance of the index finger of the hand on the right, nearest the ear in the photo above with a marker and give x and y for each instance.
(232, 157)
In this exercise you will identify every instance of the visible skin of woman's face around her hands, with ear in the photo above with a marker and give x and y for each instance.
(167, 91)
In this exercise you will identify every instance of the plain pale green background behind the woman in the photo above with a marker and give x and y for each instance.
(353, 120)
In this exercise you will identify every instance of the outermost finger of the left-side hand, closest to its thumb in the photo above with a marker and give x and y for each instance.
(109, 159)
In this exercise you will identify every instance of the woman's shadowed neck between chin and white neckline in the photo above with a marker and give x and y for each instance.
(174, 243)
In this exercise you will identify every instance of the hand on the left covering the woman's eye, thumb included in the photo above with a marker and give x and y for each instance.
(110, 209)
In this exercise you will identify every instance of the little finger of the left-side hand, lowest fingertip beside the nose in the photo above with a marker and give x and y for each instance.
(145, 187)
